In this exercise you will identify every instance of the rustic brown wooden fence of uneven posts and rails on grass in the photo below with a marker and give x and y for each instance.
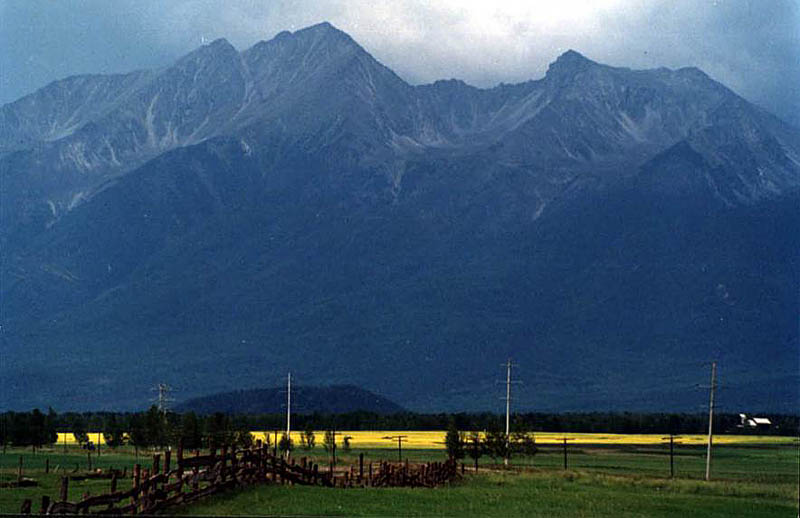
(155, 489)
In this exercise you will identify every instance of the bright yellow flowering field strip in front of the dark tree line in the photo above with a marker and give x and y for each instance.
(435, 439)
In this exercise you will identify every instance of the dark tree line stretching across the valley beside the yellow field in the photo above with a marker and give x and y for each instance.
(156, 428)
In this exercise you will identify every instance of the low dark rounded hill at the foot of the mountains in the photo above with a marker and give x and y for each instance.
(305, 400)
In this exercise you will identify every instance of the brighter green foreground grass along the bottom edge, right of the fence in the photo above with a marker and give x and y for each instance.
(527, 493)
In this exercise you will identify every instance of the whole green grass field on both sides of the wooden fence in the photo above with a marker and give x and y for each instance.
(601, 481)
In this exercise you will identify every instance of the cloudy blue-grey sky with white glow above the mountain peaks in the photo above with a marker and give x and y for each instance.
(752, 46)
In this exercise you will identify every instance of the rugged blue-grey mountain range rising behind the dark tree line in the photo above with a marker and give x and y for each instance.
(297, 206)
